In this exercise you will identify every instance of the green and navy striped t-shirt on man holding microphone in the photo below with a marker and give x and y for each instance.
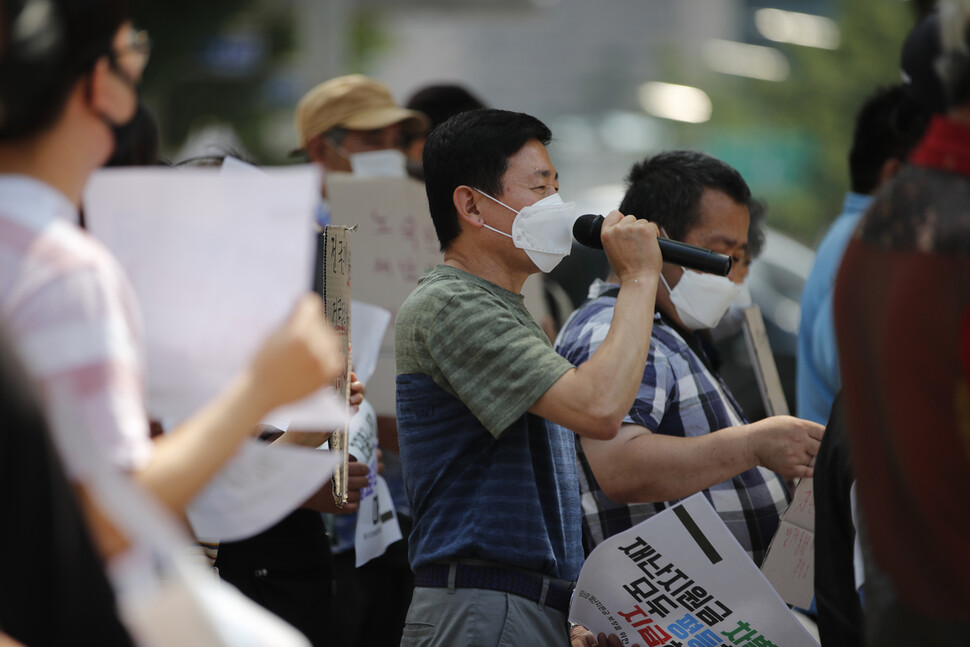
(485, 479)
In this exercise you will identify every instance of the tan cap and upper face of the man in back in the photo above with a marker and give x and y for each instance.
(349, 115)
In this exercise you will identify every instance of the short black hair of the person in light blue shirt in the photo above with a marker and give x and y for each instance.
(887, 126)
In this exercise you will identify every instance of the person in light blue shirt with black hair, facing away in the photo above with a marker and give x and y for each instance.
(887, 126)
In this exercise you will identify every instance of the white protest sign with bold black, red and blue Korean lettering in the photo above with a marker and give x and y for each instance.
(680, 579)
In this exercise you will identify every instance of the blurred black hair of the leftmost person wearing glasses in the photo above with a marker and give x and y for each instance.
(46, 47)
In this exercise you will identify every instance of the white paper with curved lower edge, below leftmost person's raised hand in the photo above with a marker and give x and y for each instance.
(262, 484)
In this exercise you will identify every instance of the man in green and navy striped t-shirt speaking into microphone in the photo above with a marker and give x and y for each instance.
(490, 475)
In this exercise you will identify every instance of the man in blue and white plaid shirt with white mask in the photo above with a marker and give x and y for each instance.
(685, 433)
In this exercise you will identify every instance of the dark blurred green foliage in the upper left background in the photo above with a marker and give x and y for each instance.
(220, 61)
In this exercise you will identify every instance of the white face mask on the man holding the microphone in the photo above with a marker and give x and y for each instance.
(544, 230)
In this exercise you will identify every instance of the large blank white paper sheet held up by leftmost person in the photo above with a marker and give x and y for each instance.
(217, 260)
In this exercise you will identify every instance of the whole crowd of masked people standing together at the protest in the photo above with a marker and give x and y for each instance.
(512, 453)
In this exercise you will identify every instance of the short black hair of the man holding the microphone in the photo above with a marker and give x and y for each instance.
(473, 149)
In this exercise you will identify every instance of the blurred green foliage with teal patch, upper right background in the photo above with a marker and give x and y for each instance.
(798, 132)
